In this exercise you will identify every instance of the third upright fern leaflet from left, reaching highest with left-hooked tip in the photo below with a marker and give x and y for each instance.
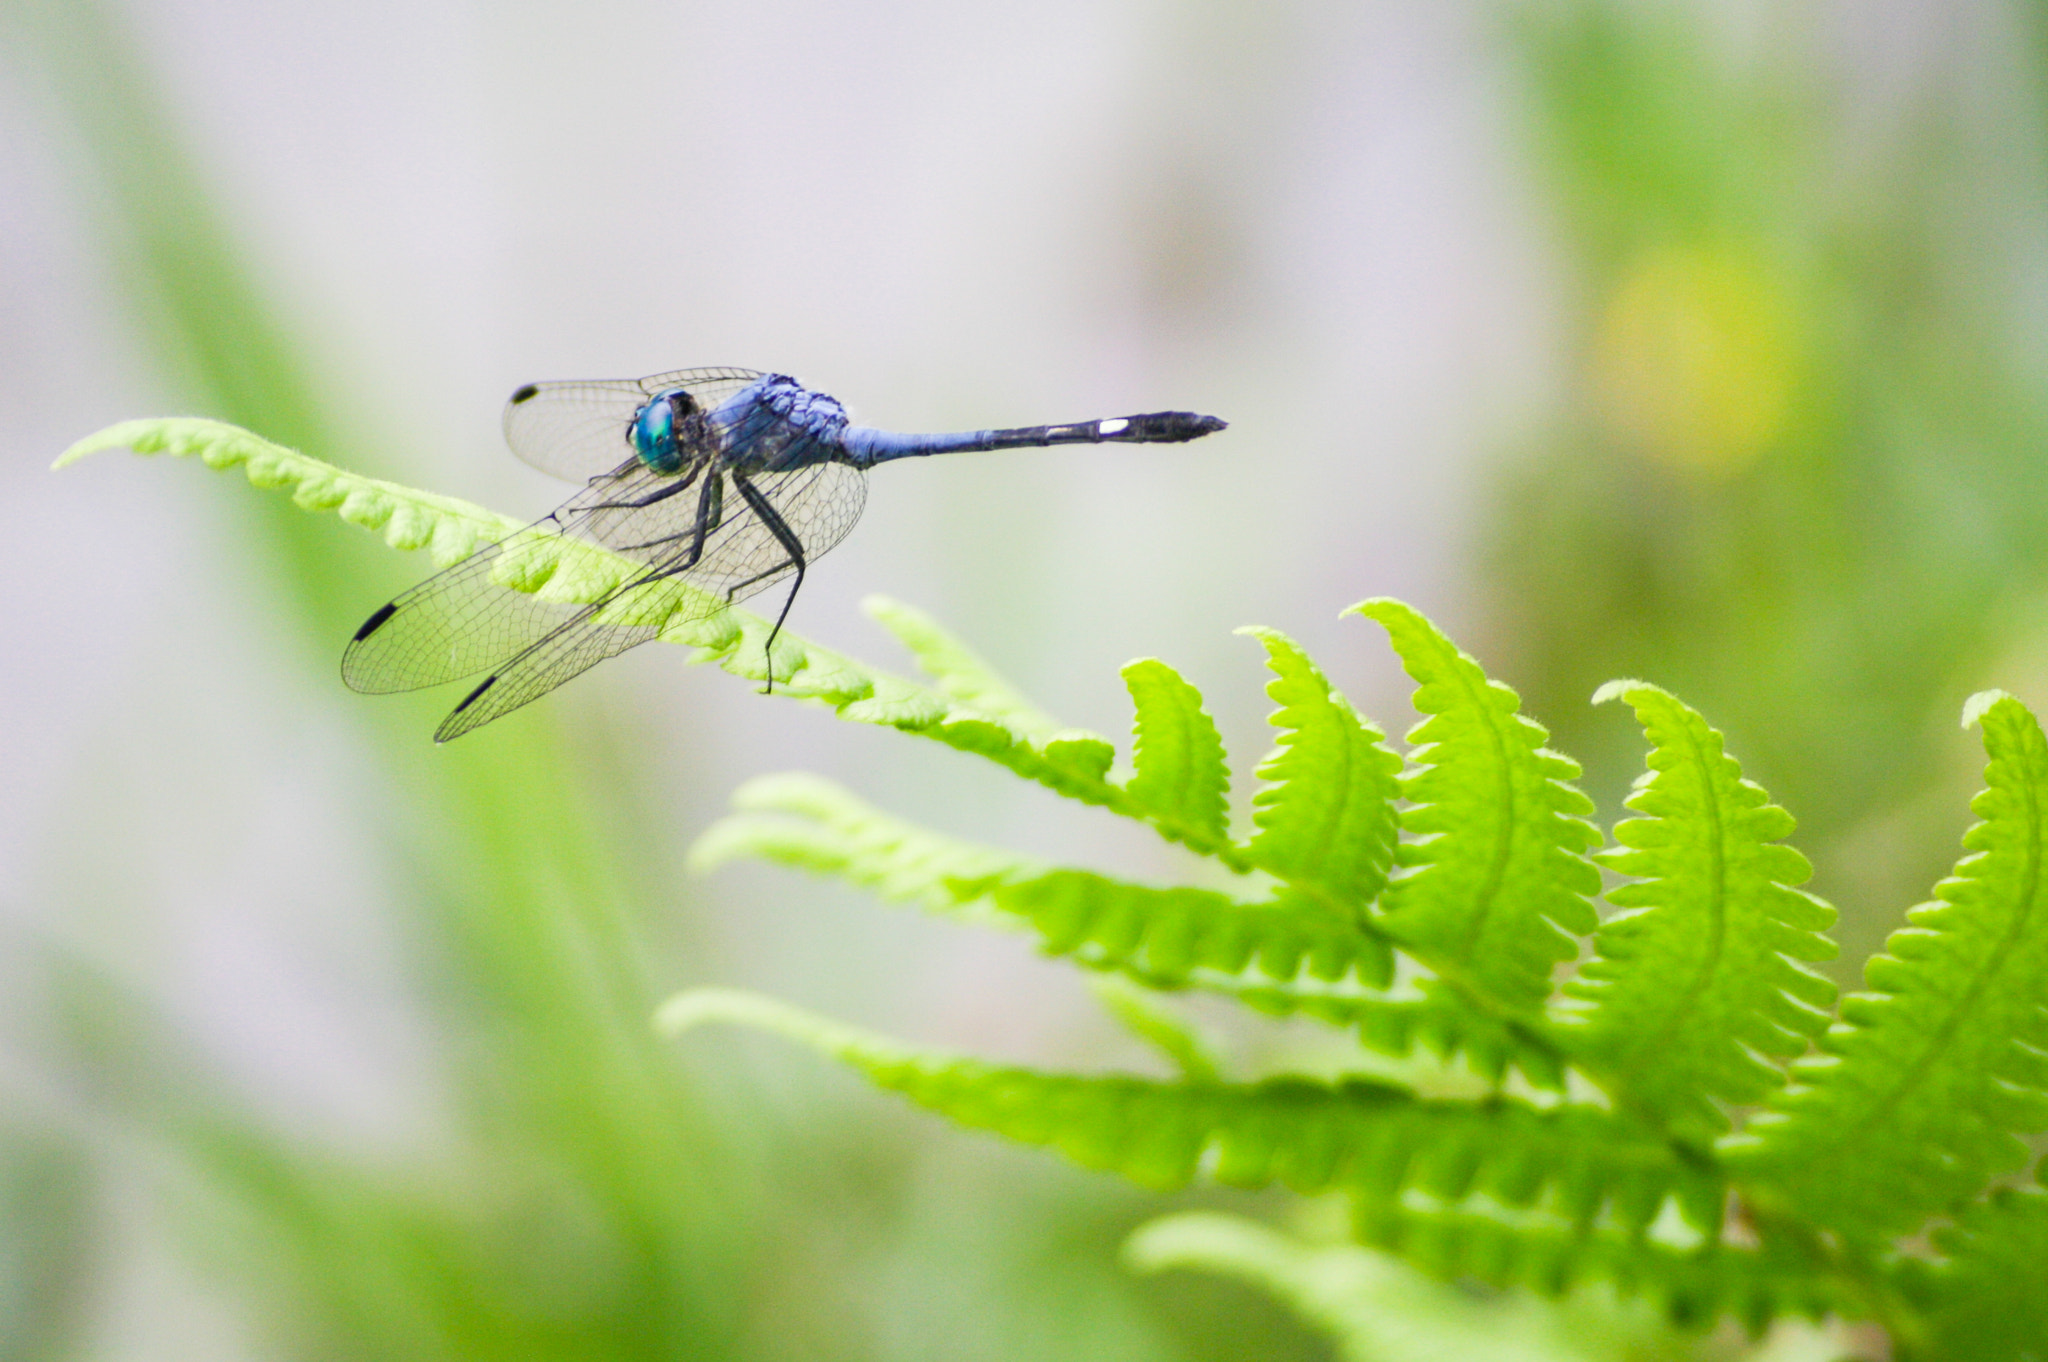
(1498, 884)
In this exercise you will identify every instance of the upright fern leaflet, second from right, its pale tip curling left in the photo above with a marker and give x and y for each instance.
(1701, 984)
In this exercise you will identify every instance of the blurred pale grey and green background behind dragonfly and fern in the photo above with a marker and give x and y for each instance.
(1691, 341)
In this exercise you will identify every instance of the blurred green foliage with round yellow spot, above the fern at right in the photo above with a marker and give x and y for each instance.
(1799, 476)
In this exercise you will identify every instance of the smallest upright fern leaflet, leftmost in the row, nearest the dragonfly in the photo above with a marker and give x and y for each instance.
(1183, 781)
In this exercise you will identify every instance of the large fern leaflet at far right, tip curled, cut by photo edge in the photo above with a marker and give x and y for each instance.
(1930, 1078)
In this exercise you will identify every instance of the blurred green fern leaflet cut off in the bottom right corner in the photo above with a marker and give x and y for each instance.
(1988, 1295)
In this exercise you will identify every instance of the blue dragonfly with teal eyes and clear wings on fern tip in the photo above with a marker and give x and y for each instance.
(724, 480)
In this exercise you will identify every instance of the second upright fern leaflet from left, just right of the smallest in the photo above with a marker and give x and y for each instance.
(1326, 822)
